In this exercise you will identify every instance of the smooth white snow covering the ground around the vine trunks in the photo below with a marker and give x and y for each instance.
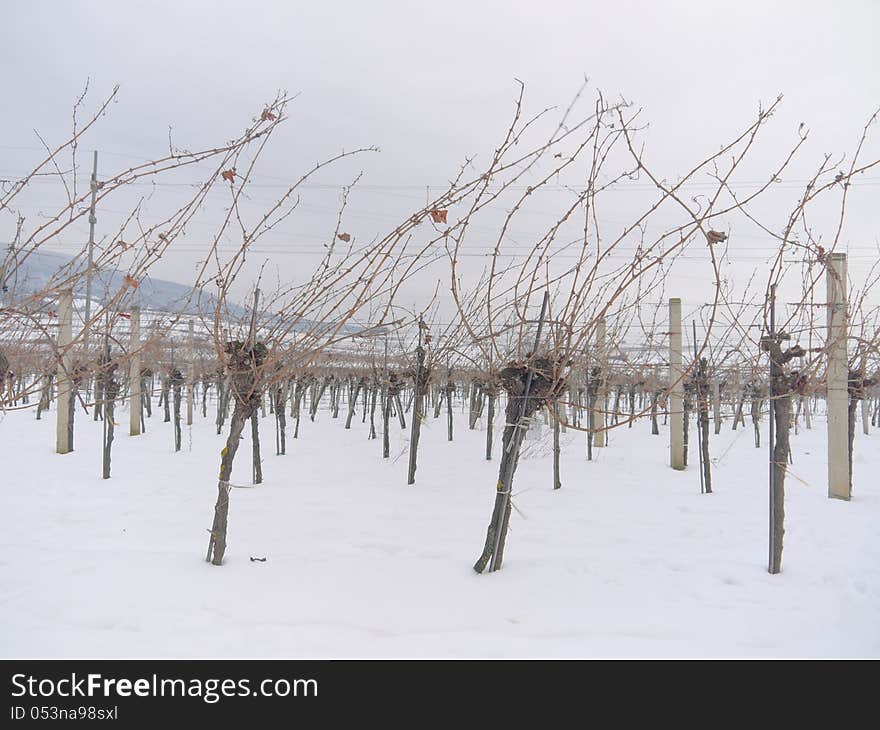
(628, 559)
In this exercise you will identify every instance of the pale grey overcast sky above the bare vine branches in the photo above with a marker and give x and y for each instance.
(430, 83)
